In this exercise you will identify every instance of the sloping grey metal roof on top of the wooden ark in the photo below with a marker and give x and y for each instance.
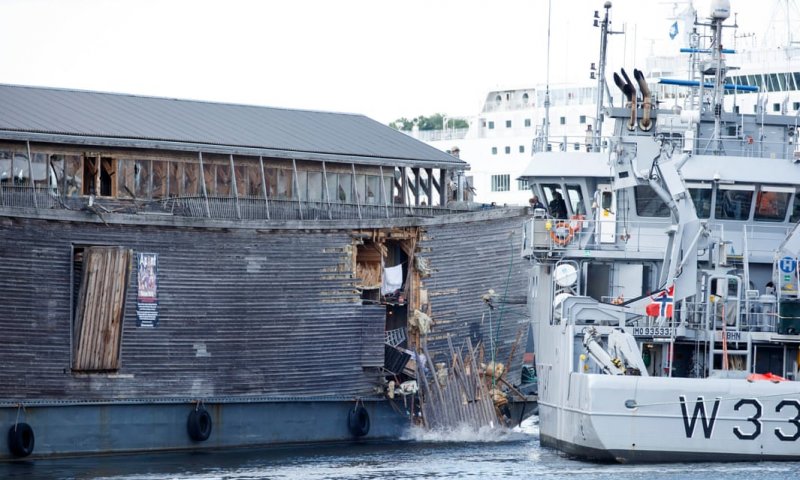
(131, 121)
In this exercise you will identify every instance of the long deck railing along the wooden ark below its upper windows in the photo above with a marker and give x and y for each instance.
(233, 208)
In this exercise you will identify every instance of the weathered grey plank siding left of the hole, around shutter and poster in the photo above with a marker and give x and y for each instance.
(240, 312)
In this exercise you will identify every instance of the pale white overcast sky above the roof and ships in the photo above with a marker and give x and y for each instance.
(382, 58)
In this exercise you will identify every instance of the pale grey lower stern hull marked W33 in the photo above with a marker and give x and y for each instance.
(656, 419)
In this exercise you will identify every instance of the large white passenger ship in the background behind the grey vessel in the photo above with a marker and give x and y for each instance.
(510, 126)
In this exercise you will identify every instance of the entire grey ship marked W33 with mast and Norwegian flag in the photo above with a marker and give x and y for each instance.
(664, 291)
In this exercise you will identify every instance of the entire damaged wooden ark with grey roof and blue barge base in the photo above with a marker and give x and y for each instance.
(182, 274)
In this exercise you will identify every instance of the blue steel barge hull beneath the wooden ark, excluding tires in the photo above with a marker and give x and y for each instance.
(141, 426)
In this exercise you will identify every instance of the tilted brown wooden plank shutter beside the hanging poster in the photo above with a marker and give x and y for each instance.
(100, 308)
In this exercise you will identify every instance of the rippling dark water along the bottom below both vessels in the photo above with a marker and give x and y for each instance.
(460, 454)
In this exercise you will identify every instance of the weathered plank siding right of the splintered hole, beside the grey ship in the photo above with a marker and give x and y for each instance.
(467, 260)
